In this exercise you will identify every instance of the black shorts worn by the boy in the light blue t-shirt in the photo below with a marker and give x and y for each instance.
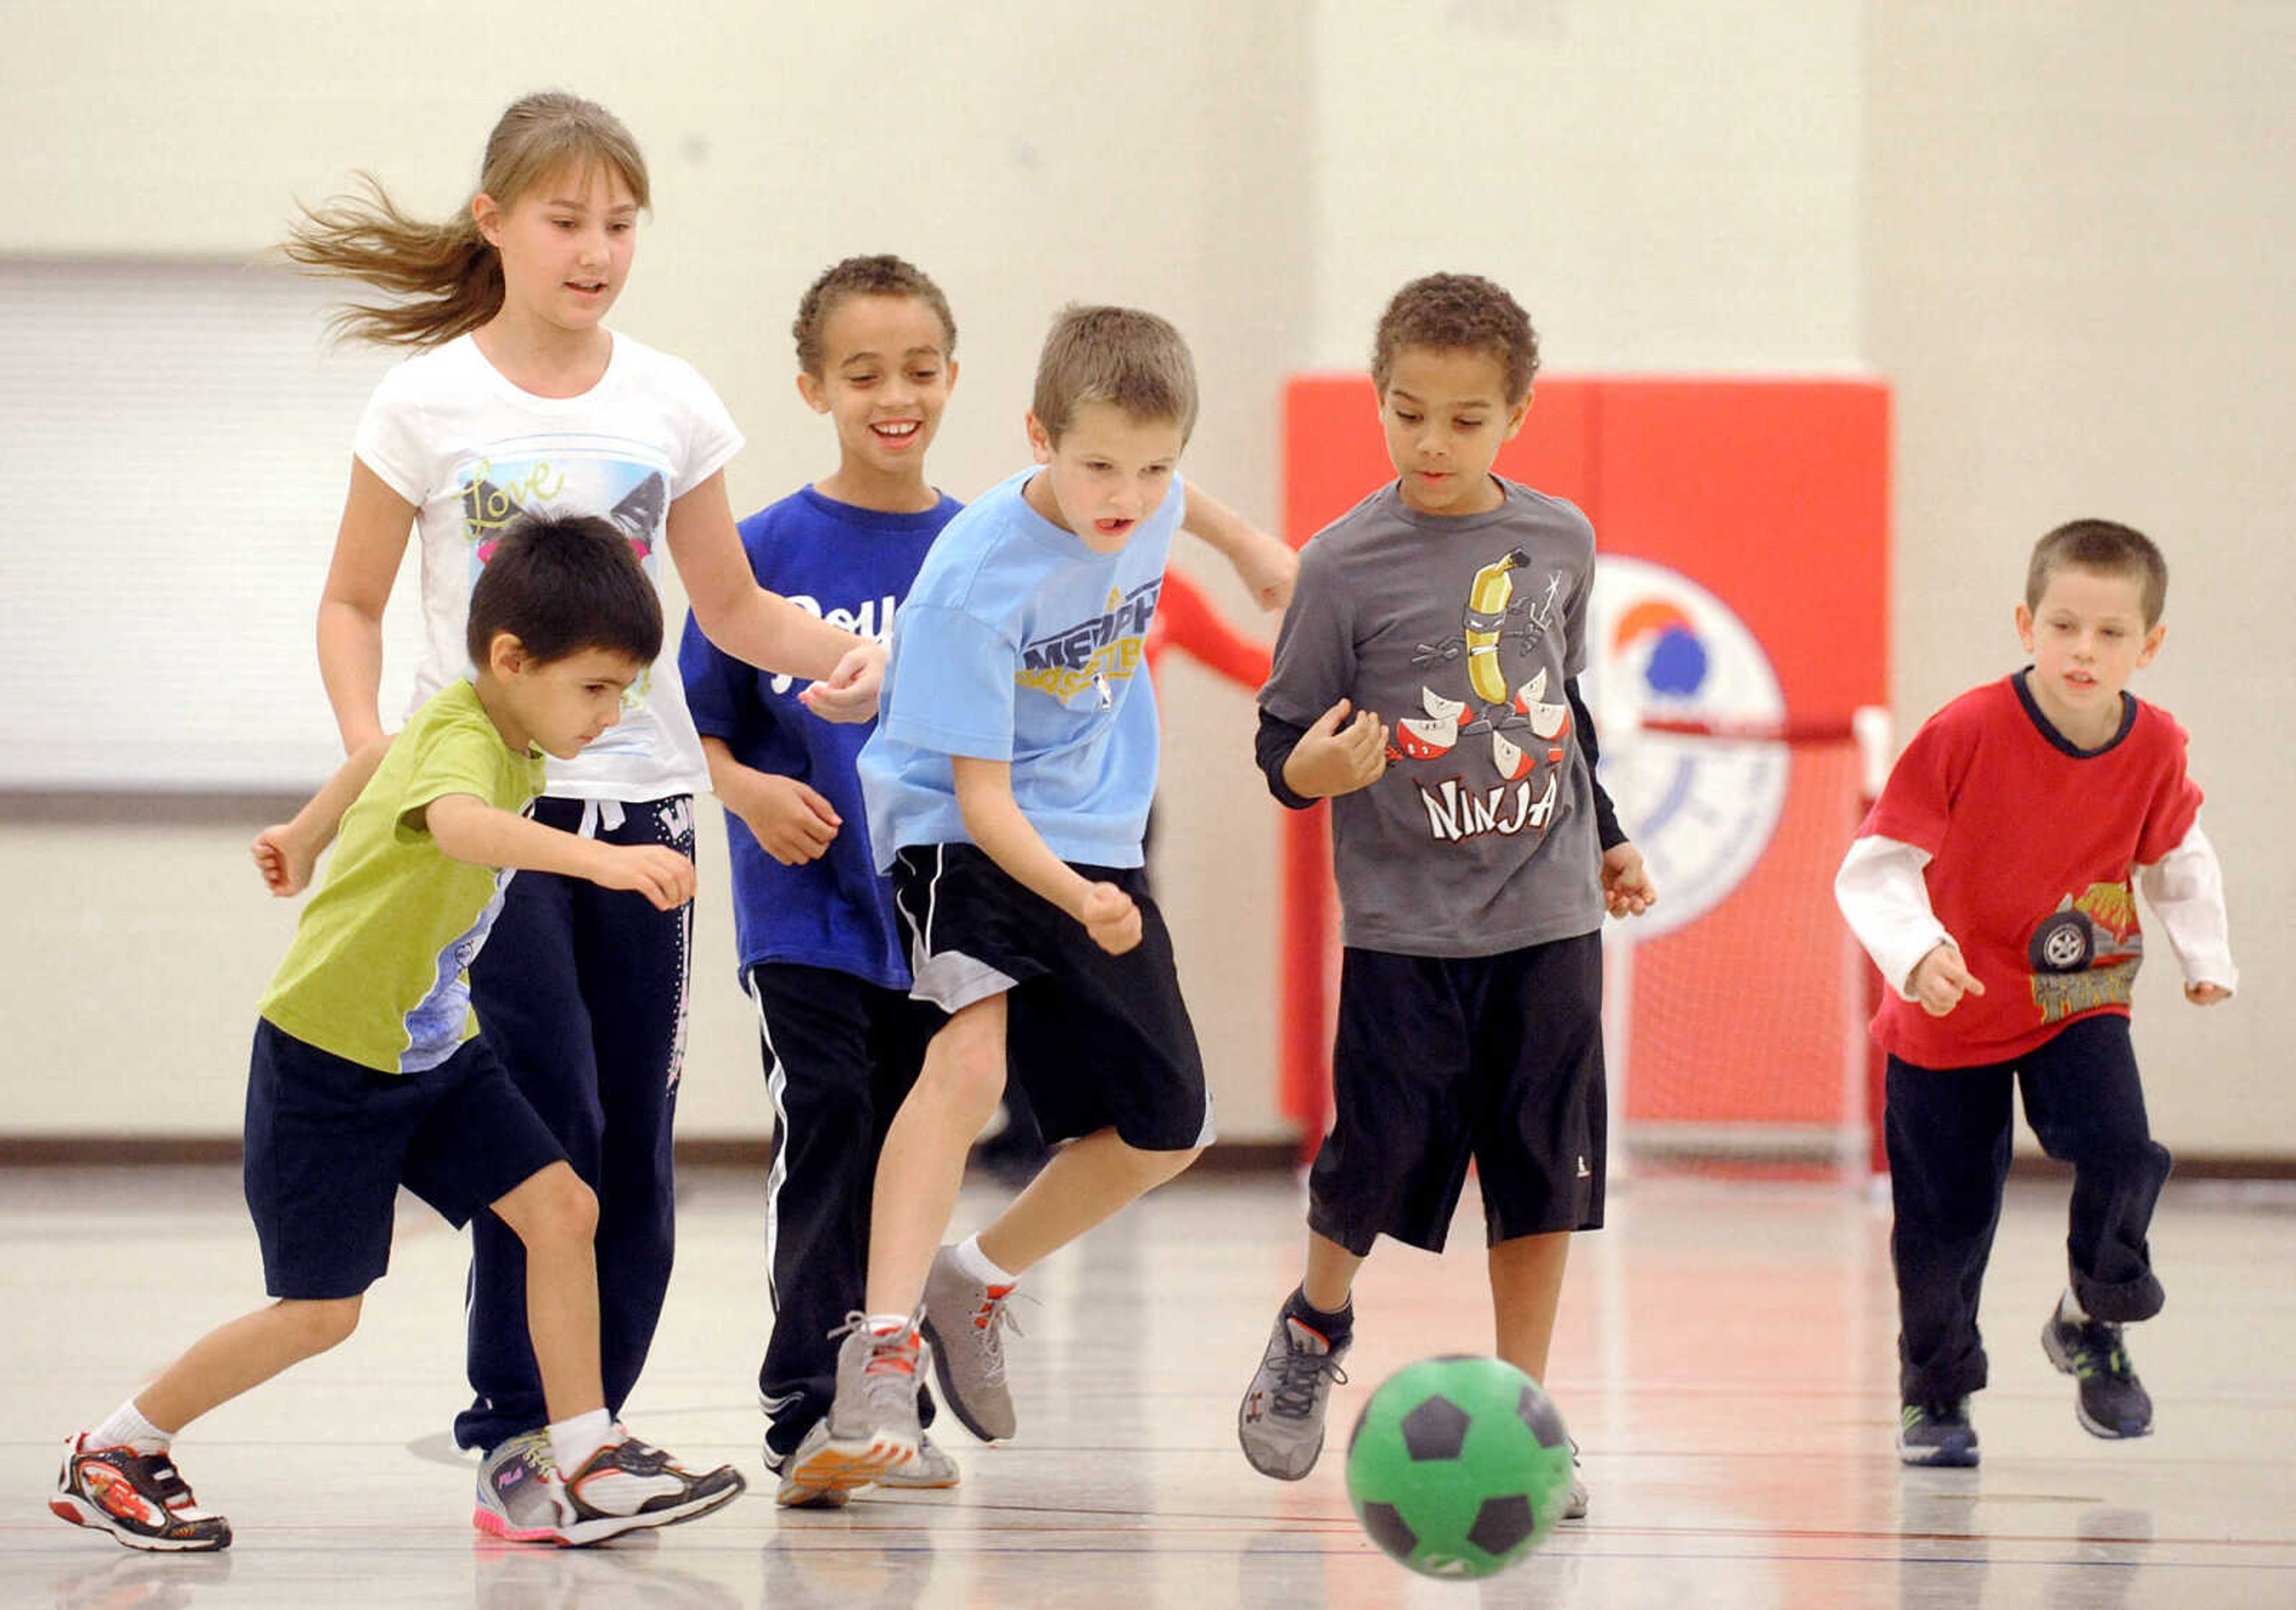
(1099, 1042)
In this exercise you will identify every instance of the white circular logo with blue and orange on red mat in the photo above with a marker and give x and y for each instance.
(1700, 805)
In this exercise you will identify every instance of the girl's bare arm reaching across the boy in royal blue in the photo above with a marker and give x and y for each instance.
(766, 628)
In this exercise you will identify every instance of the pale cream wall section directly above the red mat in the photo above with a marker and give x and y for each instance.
(1666, 185)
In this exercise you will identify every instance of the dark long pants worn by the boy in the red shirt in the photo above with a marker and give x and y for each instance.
(1950, 1131)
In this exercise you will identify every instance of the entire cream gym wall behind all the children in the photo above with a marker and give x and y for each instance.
(2056, 240)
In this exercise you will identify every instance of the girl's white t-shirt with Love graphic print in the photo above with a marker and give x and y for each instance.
(451, 435)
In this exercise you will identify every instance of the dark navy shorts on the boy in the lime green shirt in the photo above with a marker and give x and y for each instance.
(329, 1145)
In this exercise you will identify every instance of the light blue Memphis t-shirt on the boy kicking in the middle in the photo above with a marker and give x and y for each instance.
(1023, 644)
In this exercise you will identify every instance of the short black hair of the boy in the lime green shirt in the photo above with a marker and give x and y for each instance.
(564, 585)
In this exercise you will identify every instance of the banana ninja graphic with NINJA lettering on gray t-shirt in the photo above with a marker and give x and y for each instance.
(1523, 725)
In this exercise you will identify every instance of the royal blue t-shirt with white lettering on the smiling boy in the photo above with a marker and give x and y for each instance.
(853, 568)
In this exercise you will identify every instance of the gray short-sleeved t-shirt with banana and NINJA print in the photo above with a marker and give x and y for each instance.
(1459, 630)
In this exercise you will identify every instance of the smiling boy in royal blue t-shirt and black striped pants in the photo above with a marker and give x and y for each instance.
(814, 920)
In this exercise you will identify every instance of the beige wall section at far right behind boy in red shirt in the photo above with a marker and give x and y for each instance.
(2077, 258)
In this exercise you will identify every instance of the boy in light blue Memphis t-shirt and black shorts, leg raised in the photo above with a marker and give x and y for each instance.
(1009, 791)
